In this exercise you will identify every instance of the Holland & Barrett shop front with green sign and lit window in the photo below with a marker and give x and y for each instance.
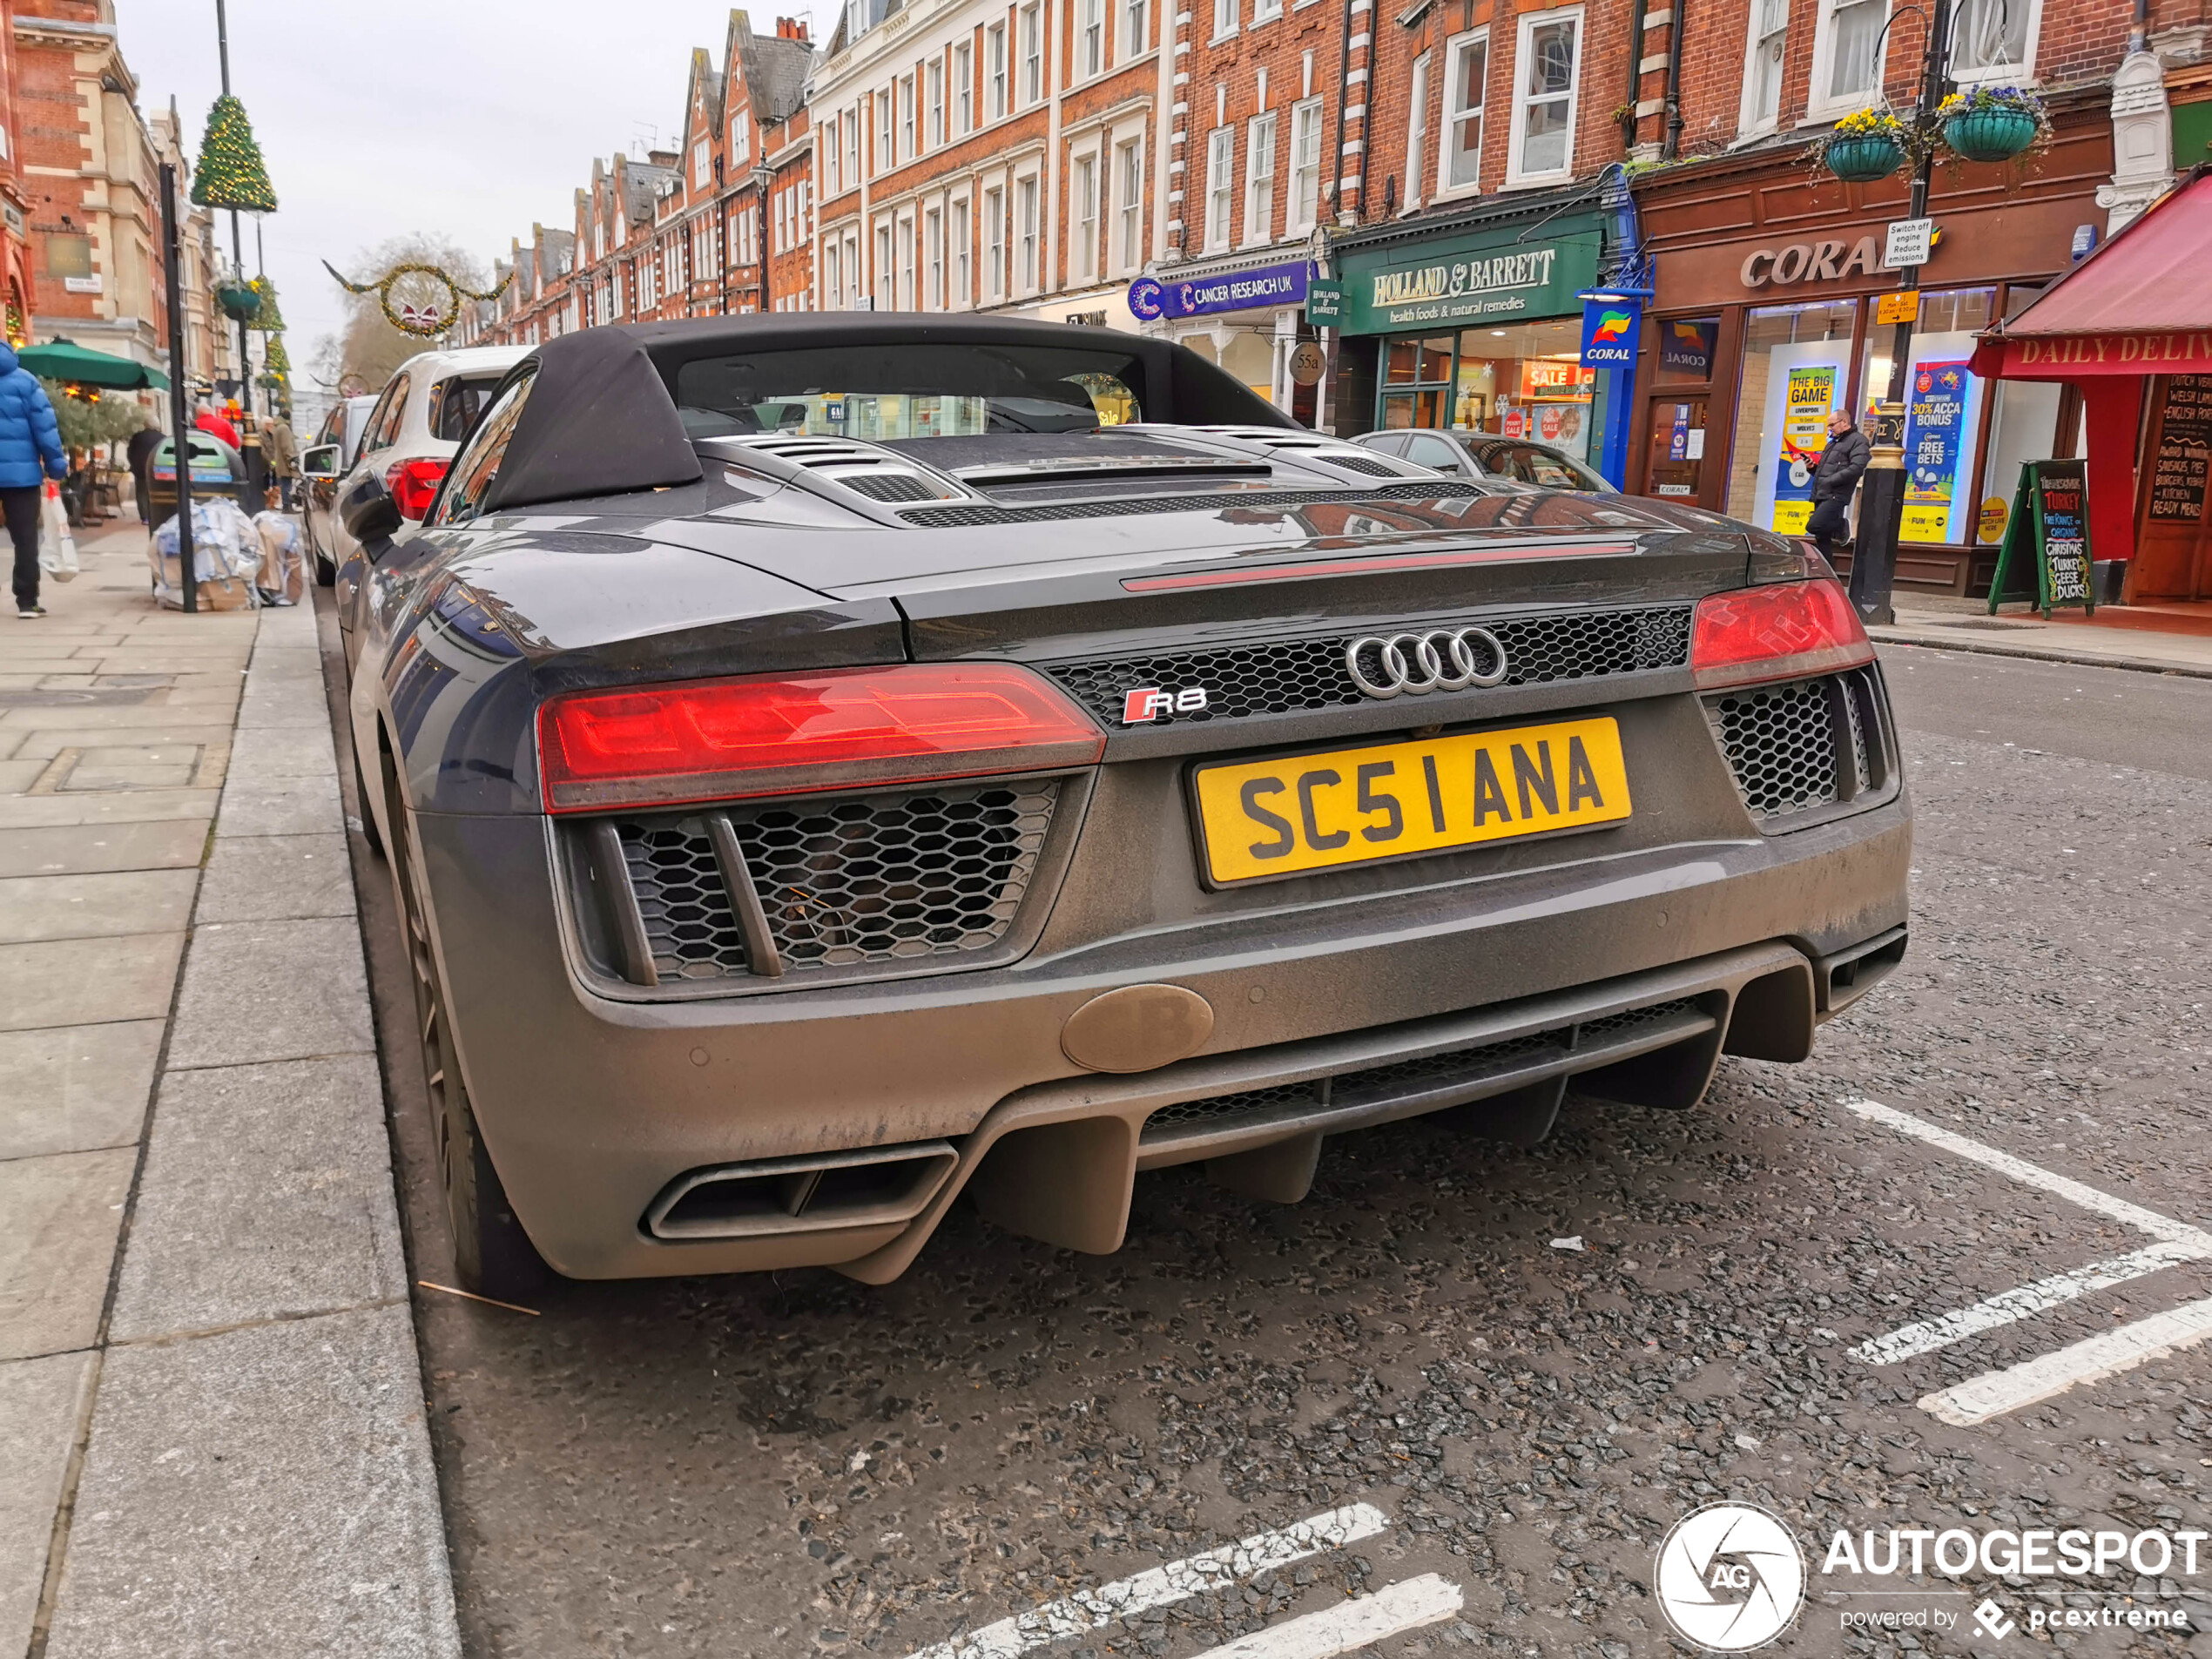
(1477, 326)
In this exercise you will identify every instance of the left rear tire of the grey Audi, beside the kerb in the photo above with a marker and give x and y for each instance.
(492, 1253)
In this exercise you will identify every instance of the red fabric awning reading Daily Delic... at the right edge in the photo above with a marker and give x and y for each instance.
(2136, 306)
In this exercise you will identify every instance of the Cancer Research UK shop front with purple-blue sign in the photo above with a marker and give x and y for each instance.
(1246, 315)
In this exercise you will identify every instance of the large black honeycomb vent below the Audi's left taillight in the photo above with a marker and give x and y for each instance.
(842, 884)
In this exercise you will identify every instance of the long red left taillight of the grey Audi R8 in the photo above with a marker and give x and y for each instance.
(718, 740)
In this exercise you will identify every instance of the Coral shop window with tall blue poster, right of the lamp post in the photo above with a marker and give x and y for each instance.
(1943, 410)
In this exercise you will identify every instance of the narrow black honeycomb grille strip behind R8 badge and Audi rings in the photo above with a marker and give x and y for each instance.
(1297, 676)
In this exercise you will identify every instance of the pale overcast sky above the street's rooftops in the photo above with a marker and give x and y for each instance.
(459, 118)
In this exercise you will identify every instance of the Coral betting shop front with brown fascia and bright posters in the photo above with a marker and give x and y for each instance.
(1771, 311)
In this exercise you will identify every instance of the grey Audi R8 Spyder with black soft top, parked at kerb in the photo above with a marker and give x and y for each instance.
(833, 766)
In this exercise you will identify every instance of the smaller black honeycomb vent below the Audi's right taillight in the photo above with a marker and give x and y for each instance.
(1802, 747)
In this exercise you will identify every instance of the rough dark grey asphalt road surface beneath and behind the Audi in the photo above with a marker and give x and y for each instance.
(804, 1465)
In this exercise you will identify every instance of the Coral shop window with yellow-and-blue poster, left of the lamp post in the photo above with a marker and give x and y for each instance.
(1797, 368)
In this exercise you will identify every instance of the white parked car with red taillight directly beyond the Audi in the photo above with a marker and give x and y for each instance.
(408, 441)
